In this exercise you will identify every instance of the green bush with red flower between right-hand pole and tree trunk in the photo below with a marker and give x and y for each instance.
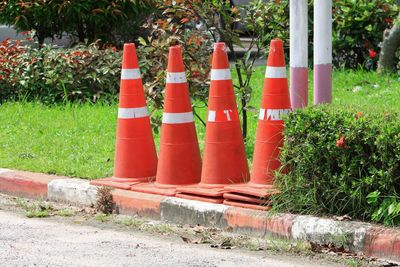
(358, 30)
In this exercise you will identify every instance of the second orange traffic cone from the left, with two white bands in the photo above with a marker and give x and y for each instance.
(179, 156)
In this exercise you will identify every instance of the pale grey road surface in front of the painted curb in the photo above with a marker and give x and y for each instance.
(57, 242)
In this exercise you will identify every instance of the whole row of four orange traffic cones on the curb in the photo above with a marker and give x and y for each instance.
(223, 177)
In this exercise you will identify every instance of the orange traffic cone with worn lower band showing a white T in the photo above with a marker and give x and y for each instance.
(225, 159)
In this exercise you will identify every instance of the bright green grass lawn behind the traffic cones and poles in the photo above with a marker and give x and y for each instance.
(78, 140)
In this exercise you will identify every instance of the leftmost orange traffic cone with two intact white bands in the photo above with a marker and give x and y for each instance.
(135, 153)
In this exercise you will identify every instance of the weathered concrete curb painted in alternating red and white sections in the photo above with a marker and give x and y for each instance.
(373, 241)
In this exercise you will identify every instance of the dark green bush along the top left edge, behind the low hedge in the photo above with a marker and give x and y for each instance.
(87, 20)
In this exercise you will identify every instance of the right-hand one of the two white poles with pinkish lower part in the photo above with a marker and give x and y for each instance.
(322, 51)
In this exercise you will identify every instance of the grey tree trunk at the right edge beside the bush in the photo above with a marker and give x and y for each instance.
(391, 42)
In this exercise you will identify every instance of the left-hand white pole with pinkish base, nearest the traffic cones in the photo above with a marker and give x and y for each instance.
(298, 53)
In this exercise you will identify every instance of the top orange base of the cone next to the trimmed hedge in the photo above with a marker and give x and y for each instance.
(255, 190)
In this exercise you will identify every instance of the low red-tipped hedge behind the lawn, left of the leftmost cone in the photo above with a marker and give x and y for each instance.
(56, 75)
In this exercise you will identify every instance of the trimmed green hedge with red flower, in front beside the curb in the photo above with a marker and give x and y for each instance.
(340, 162)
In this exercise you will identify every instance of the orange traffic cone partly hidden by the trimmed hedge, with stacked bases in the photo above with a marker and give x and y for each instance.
(269, 137)
